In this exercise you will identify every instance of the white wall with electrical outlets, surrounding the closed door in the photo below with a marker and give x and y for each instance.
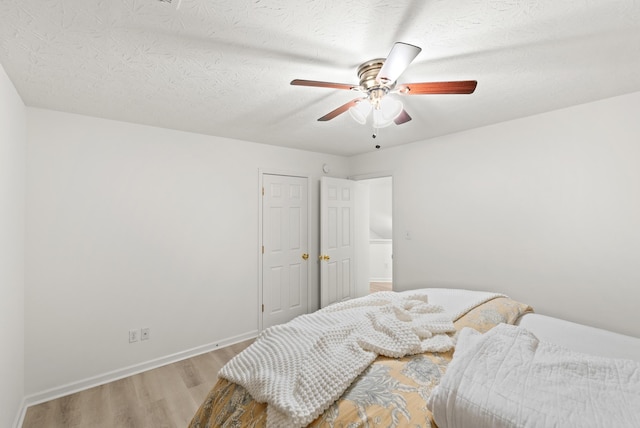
(133, 226)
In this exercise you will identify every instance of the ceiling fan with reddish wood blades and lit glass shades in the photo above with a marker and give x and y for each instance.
(378, 78)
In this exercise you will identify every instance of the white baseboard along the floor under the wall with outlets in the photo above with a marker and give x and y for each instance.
(114, 375)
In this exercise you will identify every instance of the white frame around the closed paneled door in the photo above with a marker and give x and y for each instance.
(261, 173)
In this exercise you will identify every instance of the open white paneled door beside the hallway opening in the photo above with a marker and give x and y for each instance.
(337, 240)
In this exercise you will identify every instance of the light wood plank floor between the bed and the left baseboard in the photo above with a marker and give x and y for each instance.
(165, 397)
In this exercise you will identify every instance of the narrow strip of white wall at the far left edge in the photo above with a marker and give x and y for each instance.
(13, 144)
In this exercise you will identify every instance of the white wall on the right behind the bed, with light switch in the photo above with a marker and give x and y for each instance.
(545, 209)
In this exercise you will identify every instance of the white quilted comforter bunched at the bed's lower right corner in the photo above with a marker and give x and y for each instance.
(507, 378)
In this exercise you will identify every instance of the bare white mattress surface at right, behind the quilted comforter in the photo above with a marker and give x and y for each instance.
(581, 338)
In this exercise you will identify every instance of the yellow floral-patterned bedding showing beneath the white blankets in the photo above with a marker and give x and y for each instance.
(392, 392)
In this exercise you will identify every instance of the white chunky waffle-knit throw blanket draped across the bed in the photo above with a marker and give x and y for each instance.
(300, 368)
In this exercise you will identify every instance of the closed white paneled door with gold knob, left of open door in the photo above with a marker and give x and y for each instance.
(285, 250)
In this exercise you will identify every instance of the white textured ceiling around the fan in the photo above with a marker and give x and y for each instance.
(223, 67)
